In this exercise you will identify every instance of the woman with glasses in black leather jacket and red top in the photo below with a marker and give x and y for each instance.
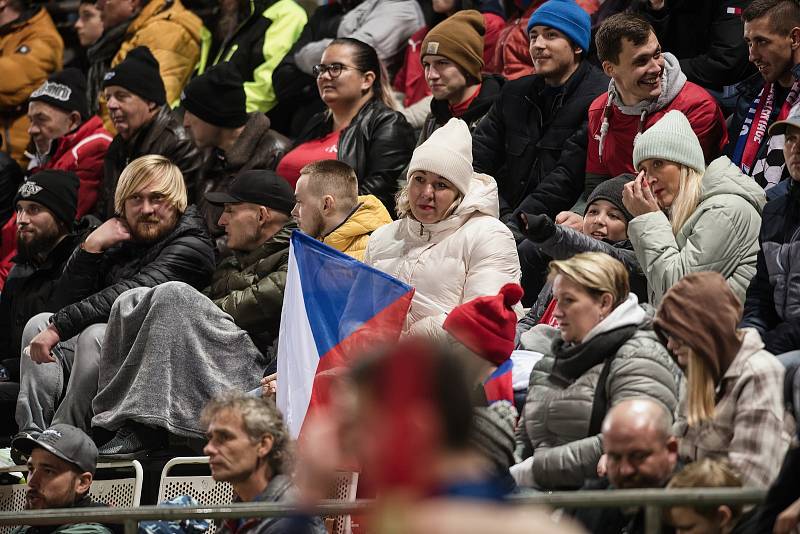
(359, 127)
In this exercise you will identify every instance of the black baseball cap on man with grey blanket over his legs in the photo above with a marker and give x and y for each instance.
(261, 187)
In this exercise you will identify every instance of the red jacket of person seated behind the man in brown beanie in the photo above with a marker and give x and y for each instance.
(410, 79)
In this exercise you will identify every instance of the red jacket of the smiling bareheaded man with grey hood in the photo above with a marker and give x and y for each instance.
(699, 107)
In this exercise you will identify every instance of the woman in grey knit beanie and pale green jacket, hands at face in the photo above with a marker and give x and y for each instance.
(687, 217)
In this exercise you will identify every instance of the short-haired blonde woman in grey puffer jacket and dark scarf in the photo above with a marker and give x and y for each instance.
(603, 351)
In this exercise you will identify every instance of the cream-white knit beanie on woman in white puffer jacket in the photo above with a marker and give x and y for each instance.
(448, 153)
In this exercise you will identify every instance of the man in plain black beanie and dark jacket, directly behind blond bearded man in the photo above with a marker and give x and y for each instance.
(145, 124)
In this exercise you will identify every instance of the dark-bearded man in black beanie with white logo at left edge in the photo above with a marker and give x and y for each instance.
(45, 211)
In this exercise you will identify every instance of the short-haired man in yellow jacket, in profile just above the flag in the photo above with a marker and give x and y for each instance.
(328, 208)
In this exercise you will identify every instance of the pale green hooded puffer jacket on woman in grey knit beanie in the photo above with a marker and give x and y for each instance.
(721, 235)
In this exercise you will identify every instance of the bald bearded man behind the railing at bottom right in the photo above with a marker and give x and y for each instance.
(640, 453)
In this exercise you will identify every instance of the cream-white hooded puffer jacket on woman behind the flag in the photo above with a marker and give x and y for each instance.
(466, 255)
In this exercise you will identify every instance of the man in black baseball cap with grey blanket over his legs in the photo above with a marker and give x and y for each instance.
(201, 343)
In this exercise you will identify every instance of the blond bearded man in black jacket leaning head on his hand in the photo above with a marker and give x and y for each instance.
(155, 239)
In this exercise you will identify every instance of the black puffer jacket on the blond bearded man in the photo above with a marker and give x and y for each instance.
(94, 281)
